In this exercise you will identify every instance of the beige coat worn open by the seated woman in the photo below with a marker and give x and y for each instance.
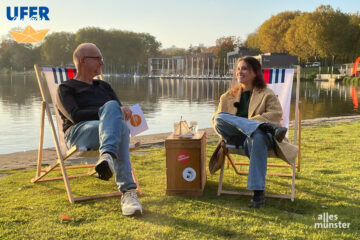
(264, 106)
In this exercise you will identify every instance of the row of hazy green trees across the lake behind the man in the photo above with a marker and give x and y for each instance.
(122, 50)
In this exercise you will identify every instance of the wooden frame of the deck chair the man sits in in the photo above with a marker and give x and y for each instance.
(62, 153)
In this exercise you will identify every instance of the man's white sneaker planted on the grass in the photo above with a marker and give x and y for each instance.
(130, 204)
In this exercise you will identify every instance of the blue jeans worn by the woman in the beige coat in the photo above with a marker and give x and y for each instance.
(245, 133)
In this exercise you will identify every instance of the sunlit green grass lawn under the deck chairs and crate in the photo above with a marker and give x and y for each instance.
(327, 183)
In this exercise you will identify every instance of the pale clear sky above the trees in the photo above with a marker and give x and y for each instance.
(179, 23)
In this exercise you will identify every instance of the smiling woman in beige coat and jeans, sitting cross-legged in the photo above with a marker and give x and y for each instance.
(249, 116)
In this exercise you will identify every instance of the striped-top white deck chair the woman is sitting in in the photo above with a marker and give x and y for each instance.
(280, 81)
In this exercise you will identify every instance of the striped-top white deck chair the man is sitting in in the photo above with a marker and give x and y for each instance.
(53, 77)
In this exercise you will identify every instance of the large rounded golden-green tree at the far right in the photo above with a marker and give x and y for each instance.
(324, 33)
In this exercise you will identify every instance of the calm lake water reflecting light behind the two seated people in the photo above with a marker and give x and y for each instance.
(163, 102)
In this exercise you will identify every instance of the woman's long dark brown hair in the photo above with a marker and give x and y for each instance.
(255, 66)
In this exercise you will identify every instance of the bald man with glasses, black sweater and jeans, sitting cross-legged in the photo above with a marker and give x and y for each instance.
(95, 119)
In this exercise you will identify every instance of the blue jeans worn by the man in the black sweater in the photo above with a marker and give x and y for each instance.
(108, 134)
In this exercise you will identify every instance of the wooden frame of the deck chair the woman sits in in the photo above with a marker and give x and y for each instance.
(297, 141)
